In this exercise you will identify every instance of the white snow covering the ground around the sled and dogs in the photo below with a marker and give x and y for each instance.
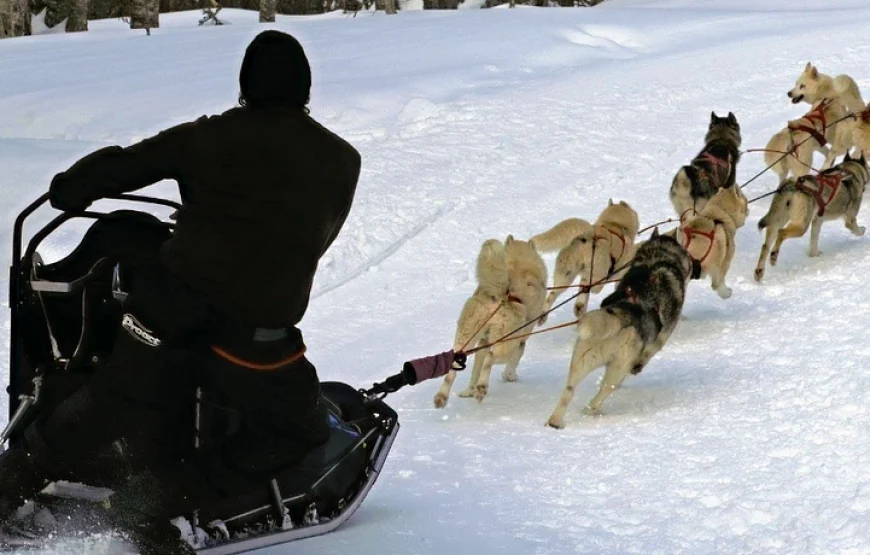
(747, 434)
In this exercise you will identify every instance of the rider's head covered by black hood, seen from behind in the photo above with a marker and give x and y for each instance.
(275, 72)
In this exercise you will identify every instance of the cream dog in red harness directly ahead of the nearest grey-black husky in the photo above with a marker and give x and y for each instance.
(710, 235)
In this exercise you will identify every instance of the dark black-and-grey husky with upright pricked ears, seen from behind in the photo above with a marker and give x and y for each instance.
(713, 168)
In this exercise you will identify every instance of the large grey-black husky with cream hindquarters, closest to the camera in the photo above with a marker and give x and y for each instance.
(633, 323)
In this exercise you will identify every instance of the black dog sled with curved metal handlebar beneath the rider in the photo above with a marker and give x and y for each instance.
(65, 318)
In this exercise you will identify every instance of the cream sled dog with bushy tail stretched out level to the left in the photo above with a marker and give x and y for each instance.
(612, 235)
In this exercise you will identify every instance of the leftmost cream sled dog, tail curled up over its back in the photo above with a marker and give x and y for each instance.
(511, 290)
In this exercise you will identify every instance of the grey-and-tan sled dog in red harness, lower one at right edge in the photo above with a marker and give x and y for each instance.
(833, 194)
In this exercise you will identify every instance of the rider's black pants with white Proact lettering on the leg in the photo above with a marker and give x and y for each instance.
(145, 391)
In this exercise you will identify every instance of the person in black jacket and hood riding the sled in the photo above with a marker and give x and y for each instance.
(265, 191)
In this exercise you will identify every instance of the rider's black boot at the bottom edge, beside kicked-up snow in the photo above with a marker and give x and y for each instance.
(142, 508)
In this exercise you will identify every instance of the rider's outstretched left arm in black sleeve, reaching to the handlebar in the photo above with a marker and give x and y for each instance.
(114, 170)
